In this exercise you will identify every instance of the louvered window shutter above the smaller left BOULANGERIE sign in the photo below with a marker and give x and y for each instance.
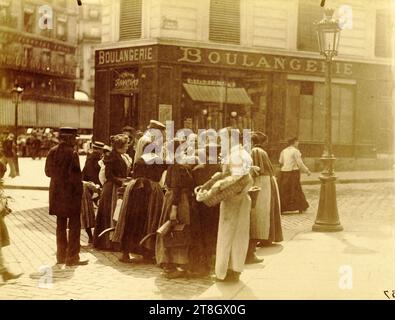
(130, 19)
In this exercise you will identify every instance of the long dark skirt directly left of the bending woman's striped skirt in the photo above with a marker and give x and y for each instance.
(104, 217)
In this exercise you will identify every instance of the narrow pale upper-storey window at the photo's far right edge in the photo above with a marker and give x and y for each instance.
(383, 34)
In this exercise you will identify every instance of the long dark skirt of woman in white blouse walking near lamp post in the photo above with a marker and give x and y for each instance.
(291, 193)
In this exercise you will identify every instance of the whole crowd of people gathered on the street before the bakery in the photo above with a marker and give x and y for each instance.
(131, 199)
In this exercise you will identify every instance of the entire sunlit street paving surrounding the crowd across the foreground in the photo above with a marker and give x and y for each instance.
(305, 265)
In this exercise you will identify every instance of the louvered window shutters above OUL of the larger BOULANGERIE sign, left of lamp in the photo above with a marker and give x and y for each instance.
(225, 21)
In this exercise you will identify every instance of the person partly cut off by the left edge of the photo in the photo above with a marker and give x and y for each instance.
(4, 238)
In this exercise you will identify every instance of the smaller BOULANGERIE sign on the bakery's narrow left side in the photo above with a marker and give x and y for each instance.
(124, 55)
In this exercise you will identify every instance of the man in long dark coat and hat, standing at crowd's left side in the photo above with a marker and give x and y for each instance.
(65, 194)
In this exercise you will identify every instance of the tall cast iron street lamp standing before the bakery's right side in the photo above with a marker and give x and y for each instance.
(327, 219)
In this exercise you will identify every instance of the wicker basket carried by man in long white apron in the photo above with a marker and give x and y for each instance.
(210, 199)
